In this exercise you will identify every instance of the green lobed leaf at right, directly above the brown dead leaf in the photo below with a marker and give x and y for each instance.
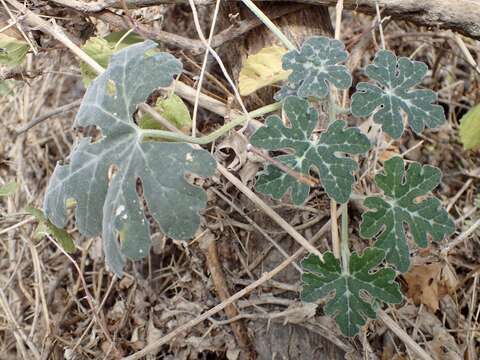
(404, 203)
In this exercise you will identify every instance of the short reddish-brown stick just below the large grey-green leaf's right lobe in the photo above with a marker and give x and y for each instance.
(209, 246)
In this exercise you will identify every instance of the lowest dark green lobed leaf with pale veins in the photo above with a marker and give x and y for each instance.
(350, 306)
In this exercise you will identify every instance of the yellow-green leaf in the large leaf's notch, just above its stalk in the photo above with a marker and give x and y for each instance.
(174, 110)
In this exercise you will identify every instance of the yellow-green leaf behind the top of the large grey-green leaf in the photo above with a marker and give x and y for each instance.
(101, 50)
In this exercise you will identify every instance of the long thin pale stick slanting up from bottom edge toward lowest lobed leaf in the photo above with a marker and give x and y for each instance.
(263, 279)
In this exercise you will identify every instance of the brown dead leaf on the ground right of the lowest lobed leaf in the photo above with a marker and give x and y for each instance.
(422, 281)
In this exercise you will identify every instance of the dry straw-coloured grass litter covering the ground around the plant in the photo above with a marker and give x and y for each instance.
(44, 307)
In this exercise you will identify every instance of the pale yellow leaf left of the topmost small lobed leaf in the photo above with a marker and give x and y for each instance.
(262, 69)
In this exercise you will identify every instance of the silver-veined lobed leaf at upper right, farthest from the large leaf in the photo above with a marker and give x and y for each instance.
(393, 95)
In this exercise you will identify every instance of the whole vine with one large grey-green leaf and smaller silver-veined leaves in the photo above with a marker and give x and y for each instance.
(353, 284)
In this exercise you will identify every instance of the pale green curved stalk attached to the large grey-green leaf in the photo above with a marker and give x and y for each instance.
(171, 136)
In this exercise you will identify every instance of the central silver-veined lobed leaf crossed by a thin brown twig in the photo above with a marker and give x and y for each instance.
(335, 171)
